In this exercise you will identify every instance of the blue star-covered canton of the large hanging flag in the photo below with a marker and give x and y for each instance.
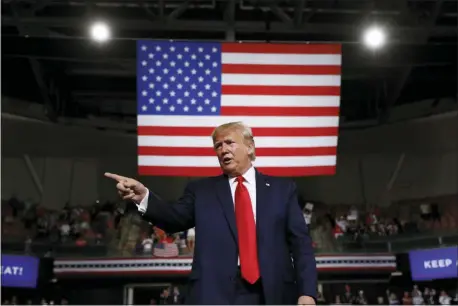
(178, 78)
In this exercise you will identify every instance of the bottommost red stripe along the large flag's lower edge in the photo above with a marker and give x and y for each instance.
(207, 171)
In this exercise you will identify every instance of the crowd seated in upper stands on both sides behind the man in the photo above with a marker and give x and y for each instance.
(119, 227)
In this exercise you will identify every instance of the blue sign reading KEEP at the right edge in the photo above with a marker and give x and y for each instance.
(434, 263)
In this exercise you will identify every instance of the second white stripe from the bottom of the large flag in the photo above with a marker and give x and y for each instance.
(261, 142)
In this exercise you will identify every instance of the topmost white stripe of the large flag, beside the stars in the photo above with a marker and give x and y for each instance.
(281, 59)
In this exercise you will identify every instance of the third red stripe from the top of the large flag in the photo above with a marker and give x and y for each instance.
(281, 90)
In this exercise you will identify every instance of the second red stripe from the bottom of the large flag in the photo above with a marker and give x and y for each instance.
(185, 151)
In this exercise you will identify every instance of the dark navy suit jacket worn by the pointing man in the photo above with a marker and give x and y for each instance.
(285, 253)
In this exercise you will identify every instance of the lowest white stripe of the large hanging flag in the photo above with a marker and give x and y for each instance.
(261, 161)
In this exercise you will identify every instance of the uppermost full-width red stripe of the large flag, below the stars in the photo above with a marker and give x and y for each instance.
(257, 132)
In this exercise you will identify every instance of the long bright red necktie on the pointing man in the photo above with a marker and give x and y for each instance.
(246, 229)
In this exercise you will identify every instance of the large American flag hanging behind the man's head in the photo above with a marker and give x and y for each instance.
(289, 94)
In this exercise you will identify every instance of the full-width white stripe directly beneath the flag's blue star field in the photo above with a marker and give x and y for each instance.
(252, 121)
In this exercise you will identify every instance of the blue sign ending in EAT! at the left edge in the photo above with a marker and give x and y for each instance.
(19, 271)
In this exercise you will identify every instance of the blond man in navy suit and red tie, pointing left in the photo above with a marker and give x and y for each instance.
(252, 243)
